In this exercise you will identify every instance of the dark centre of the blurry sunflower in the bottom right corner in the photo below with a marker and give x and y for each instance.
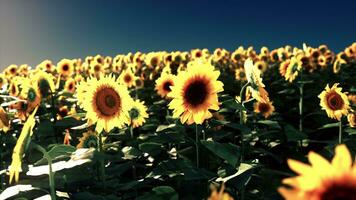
(339, 191)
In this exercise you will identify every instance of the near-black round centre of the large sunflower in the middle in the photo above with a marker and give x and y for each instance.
(196, 93)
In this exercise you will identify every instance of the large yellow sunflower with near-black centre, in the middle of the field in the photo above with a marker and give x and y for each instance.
(195, 92)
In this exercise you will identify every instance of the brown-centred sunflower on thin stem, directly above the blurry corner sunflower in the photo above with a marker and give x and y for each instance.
(334, 102)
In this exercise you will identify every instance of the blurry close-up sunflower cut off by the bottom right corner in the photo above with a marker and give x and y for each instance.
(322, 179)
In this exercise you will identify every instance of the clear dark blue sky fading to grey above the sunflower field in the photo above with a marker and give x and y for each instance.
(34, 30)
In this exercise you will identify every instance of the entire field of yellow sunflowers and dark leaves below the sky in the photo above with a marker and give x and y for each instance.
(218, 125)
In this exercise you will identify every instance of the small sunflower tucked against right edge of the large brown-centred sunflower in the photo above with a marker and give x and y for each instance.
(137, 113)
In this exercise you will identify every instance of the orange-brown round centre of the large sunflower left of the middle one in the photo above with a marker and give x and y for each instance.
(107, 101)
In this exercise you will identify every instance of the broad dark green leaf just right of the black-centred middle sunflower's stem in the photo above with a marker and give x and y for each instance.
(228, 152)
